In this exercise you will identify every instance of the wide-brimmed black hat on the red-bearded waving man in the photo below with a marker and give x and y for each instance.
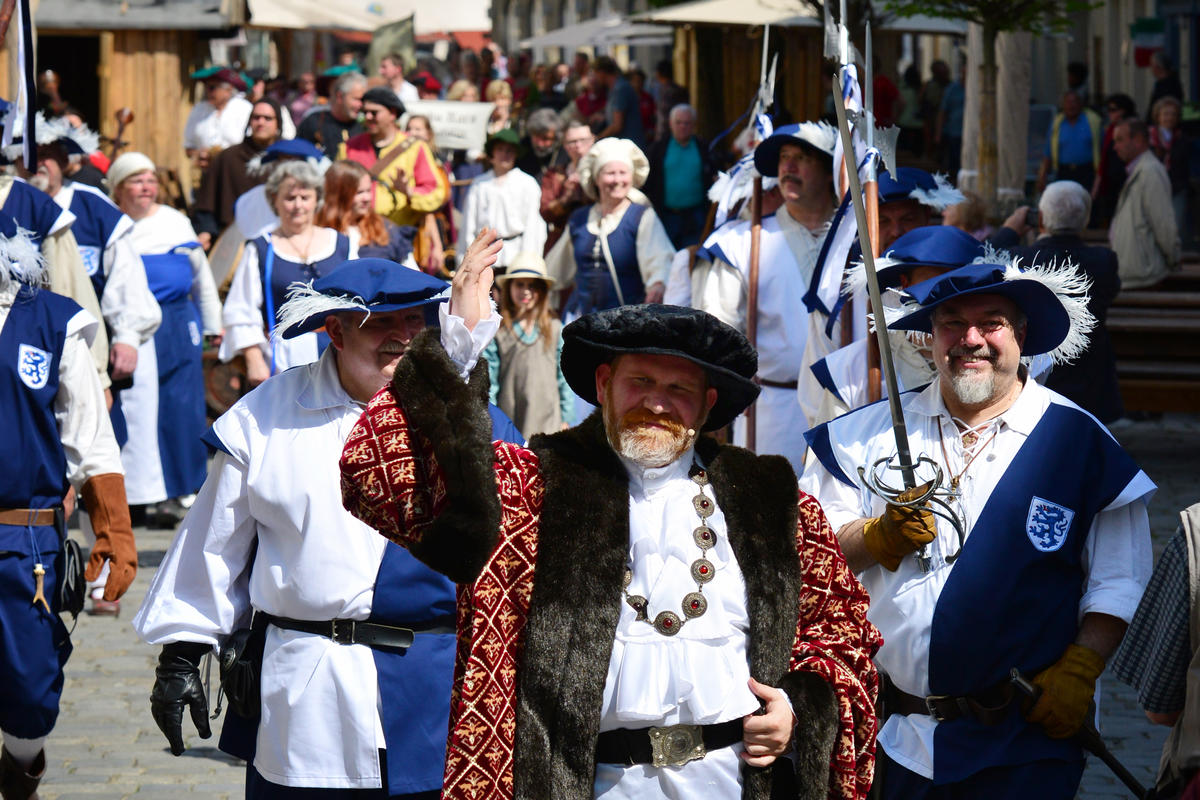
(724, 353)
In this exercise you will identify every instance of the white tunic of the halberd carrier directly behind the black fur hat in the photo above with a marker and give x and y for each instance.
(788, 255)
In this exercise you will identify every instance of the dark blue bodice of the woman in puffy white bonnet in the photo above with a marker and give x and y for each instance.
(593, 281)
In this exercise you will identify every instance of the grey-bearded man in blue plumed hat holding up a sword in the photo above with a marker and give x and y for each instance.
(1047, 563)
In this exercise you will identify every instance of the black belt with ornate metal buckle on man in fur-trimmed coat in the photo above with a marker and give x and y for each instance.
(671, 745)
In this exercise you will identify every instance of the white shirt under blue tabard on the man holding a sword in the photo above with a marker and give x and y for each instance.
(1117, 557)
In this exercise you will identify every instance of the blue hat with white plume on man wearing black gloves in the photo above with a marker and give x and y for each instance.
(364, 285)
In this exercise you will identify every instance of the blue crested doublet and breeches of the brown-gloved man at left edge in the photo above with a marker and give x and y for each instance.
(34, 646)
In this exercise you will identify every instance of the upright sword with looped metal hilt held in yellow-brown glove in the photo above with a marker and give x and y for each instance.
(903, 461)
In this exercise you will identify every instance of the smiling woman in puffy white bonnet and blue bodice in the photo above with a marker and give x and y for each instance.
(616, 251)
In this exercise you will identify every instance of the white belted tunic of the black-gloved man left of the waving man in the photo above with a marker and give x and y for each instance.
(315, 561)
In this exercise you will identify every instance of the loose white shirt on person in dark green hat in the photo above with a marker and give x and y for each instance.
(512, 206)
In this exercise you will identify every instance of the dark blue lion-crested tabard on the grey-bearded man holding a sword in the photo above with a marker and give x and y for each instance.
(1012, 599)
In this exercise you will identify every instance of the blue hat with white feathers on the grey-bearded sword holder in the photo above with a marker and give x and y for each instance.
(1053, 297)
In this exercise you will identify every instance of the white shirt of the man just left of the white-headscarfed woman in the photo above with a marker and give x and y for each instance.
(128, 304)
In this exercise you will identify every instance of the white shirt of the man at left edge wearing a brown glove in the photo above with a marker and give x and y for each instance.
(80, 408)
